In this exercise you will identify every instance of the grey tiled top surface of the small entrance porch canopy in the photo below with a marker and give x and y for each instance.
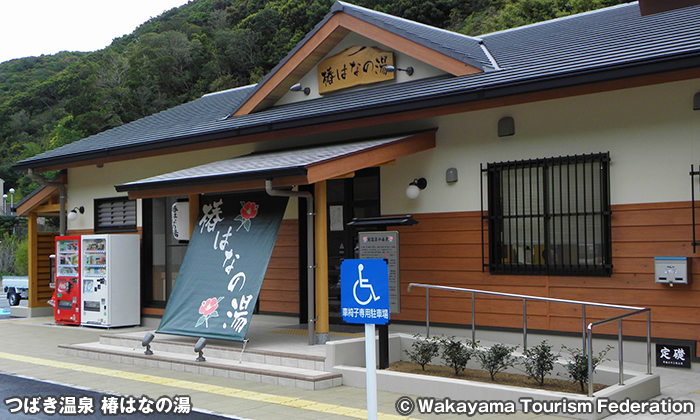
(258, 164)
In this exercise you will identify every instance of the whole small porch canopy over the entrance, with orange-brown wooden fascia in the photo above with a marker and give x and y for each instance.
(300, 166)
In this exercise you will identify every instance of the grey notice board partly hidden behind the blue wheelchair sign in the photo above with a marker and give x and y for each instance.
(385, 246)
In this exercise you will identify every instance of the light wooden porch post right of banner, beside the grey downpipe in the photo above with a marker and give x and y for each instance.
(321, 251)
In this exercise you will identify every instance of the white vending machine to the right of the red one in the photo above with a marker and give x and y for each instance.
(111, 269)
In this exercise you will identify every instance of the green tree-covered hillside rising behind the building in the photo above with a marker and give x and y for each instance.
(201, 47)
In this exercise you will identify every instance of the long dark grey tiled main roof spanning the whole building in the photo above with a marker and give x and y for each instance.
(600, 45)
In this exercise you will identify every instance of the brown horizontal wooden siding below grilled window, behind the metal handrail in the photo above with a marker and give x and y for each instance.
(445, 249)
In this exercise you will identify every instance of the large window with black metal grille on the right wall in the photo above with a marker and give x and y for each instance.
(550, 216)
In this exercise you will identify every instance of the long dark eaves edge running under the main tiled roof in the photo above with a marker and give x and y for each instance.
(508, 85)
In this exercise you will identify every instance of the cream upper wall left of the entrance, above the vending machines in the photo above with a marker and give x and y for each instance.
(90, 182)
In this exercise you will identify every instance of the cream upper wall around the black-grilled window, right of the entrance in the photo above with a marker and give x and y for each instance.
(652, 134)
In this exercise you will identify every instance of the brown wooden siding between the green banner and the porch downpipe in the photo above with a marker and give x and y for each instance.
(280, 288)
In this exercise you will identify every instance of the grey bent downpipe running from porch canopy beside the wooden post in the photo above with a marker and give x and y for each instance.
(309, 249)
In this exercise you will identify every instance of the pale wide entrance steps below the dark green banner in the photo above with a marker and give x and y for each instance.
(221, 362)
